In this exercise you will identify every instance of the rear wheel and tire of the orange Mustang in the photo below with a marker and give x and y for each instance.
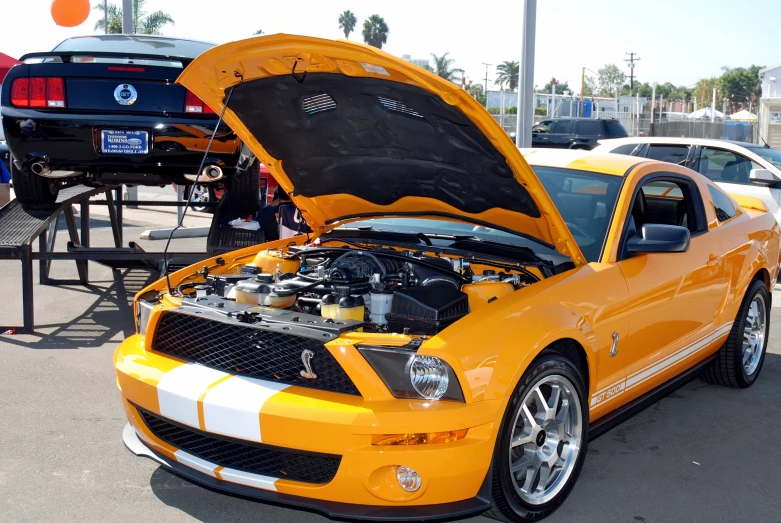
(740, 359)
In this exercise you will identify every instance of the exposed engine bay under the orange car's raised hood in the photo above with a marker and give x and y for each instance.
(378, 289)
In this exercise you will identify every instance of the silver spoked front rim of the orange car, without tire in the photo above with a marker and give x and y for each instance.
(546, 439)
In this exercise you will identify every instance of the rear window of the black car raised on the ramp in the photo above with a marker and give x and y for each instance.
(137, 44)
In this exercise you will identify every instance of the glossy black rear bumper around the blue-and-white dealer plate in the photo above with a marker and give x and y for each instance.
(71, 142)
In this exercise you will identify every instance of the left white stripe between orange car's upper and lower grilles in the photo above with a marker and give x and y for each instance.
(179, 389)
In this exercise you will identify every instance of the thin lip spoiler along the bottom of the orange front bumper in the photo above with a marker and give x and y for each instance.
(332, 509)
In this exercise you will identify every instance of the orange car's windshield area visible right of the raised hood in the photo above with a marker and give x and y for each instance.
(586, 202)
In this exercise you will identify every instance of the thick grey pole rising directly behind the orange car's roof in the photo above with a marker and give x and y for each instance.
(525, 119)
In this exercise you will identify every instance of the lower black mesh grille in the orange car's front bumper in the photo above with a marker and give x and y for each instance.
(255, 458)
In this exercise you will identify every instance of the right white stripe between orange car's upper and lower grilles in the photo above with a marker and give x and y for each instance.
(232, 407)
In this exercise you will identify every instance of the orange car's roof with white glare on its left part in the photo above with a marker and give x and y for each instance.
(582, 160)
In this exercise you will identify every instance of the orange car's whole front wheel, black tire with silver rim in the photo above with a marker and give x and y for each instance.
(542, 441)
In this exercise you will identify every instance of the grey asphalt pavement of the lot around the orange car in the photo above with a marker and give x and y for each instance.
(703, 454)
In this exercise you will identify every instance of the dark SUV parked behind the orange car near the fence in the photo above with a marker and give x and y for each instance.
(575, 133)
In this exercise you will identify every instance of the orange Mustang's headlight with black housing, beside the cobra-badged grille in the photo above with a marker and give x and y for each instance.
(410, 375)
